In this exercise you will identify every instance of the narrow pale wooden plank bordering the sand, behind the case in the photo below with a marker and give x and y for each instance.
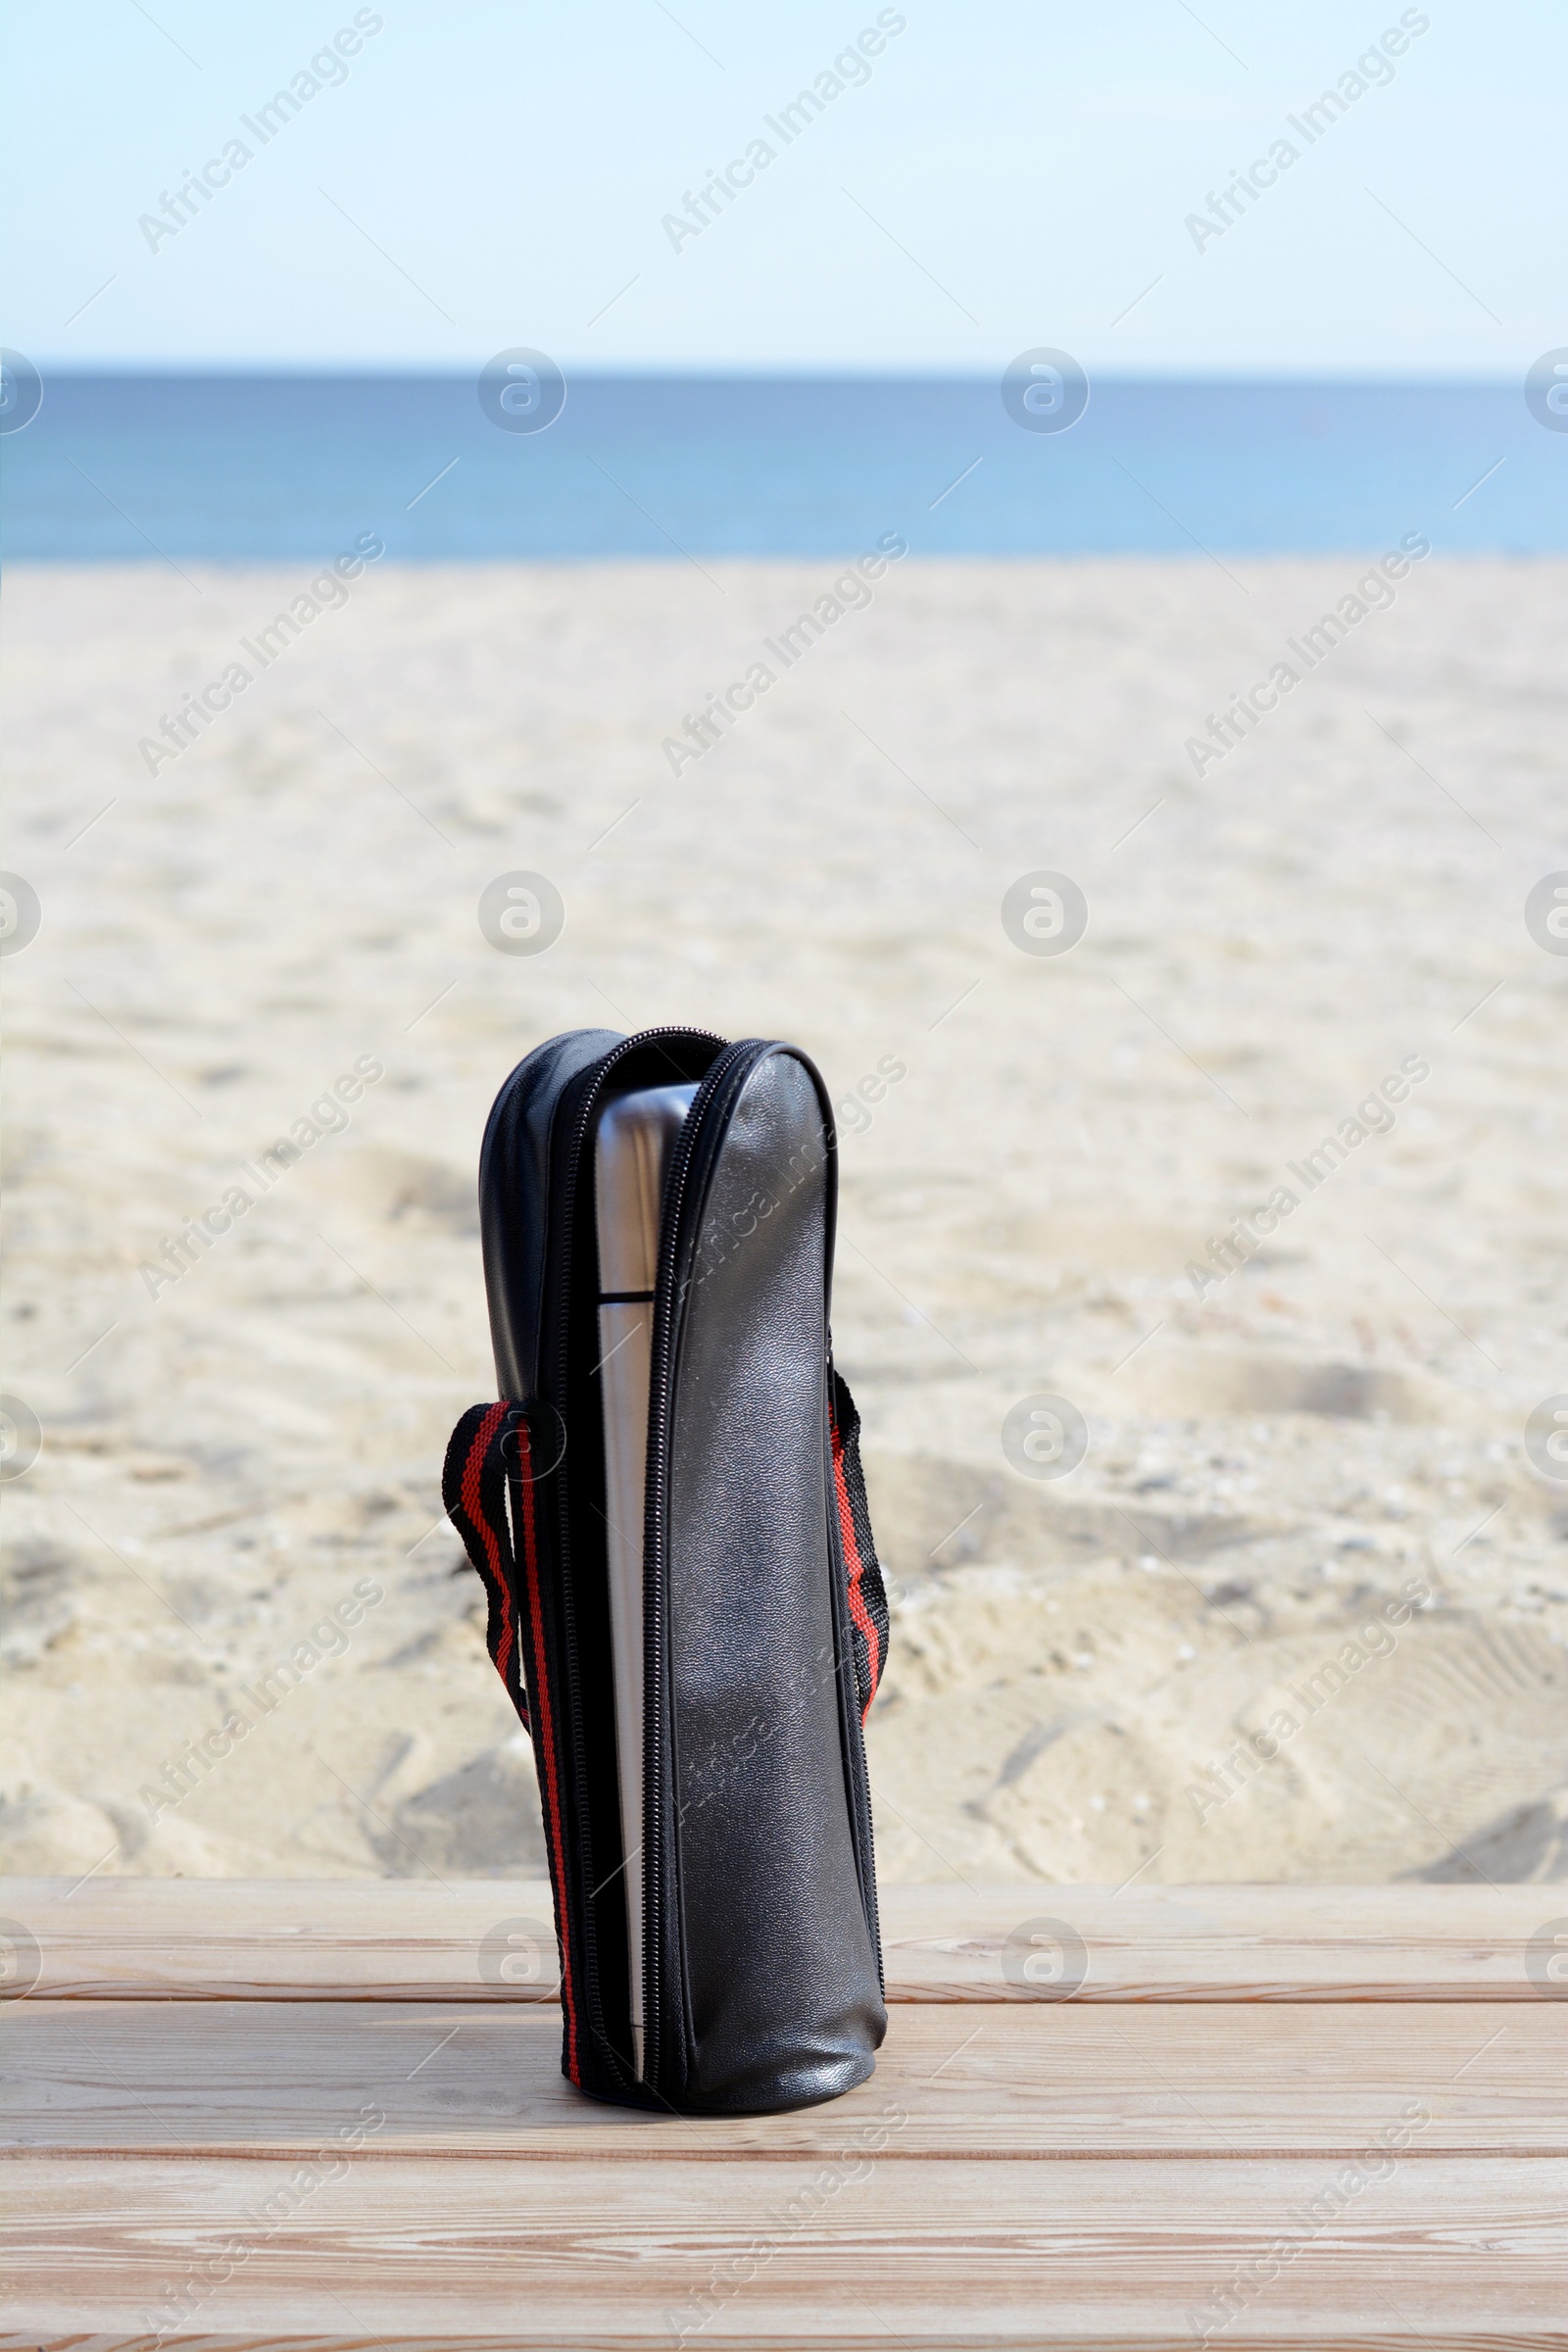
(488, 1939)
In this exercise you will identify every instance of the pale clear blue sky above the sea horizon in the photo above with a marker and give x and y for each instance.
(986, 180)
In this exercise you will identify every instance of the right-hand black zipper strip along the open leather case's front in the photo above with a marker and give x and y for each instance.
(676, 1248)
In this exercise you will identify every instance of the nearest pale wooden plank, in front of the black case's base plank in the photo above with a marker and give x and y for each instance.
(1148, 2254)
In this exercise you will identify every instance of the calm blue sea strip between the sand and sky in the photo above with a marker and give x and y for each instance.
(295, 467)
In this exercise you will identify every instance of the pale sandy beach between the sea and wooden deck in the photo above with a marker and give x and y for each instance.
(1304, 1608)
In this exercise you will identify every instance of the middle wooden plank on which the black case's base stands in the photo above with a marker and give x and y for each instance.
(1005, 2083)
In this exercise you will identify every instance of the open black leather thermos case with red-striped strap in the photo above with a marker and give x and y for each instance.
(765, 1617)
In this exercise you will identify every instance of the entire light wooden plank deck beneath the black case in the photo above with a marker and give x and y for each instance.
(323, 2118)
